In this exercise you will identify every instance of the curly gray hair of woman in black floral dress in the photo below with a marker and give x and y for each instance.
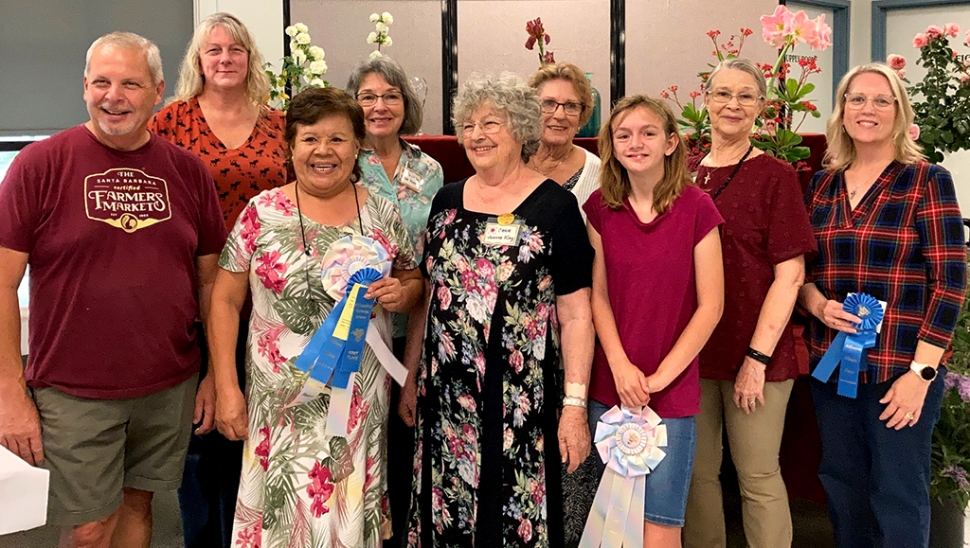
(509, 95)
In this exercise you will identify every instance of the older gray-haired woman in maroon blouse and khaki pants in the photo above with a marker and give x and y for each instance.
(748, 365)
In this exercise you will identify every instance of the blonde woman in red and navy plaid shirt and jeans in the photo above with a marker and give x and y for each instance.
(888, 225)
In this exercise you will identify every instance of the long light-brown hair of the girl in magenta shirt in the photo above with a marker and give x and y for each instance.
(614, 179)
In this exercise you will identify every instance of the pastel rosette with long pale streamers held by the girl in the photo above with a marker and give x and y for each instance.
(628, 441)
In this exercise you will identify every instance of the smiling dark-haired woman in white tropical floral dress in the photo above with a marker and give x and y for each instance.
(301, 486)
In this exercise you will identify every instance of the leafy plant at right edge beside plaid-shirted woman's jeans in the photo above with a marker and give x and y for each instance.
(951, 439)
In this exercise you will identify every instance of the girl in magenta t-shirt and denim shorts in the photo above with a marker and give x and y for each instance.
(658, 292)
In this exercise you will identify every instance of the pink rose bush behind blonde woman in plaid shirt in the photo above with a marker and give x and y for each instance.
(941, 100)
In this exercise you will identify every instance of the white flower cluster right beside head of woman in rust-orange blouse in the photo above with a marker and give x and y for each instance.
(304, 67)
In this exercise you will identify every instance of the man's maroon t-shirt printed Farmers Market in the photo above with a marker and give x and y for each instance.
(112, 238)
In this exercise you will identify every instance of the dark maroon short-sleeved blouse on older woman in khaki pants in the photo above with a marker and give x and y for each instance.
(765, 223)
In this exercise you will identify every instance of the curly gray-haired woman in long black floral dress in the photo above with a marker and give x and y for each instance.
(508, 265)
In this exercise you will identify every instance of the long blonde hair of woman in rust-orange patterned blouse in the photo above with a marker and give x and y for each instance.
(191, 80)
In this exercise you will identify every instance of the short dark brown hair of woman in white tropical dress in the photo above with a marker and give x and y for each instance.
(312, 105)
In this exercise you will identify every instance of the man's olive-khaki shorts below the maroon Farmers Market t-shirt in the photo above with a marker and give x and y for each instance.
(94, 448)
